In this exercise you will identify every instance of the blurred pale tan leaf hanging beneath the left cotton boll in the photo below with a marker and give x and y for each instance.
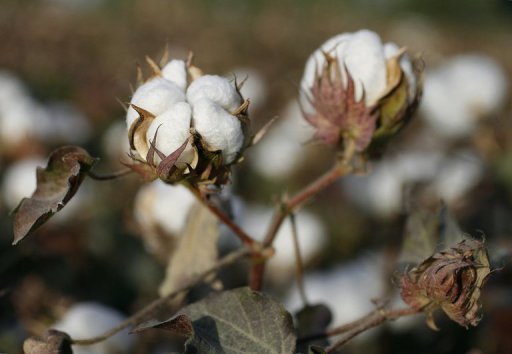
(196, 251)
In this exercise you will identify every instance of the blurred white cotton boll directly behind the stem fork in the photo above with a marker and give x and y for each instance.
(311, 236)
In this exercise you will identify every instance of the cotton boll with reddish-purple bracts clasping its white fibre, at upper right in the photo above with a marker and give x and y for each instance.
(357, 90)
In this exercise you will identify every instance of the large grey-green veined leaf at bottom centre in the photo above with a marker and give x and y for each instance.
(234, 321)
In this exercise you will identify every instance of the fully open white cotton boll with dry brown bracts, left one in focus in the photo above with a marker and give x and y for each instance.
(183, 125)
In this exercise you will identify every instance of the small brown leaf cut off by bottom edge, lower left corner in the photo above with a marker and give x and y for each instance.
(55, 342)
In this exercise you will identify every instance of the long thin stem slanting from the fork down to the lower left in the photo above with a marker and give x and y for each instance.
(156, 304)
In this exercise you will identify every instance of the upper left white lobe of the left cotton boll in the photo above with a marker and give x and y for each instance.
(156, 96)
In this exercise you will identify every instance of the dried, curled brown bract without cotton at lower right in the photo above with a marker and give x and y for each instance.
(450, 280)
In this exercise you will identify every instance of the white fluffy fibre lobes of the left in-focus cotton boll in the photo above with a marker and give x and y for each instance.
(206, 105)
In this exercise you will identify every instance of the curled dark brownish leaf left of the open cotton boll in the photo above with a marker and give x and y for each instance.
(56, 185)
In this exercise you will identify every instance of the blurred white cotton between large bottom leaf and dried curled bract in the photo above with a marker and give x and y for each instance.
(347, 289)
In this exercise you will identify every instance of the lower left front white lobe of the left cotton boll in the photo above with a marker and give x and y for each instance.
(172, 129)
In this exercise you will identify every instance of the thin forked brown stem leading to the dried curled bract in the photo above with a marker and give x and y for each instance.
(352, 329)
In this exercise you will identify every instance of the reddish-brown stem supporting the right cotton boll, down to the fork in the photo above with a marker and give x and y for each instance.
(285, 208)
